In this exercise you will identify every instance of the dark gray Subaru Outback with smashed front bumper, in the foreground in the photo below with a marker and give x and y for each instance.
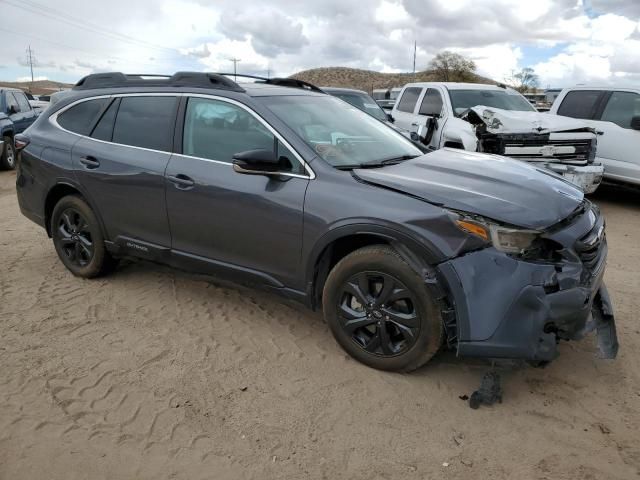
(278, 185)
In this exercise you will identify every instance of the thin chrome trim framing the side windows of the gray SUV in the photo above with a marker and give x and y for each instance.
(53, 119)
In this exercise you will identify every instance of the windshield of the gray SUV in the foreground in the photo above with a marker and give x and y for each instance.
(339, 133)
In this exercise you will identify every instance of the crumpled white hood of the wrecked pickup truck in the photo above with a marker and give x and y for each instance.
(509, 121)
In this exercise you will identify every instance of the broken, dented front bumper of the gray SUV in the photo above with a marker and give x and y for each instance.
(506, 307)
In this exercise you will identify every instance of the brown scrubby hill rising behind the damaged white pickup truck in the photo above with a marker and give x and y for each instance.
(367, 80)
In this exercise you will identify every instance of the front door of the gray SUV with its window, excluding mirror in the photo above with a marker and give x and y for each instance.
(248, 224)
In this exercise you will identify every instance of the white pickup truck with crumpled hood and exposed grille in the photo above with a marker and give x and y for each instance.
(494, 119)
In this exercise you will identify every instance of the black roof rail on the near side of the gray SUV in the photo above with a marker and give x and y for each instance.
(179, 79)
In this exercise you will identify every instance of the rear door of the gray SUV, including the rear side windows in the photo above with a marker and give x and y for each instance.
(121, 161)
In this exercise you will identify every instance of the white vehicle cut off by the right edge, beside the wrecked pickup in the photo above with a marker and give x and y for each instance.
(615, 114)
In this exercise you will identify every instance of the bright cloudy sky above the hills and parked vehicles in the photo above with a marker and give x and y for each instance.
(566, 42)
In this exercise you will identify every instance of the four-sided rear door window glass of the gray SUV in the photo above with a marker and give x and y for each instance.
(146, 122)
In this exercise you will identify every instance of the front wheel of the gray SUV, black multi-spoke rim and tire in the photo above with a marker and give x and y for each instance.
(380, 311)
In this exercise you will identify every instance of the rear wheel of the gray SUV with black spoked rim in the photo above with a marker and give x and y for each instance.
(78, 238)
